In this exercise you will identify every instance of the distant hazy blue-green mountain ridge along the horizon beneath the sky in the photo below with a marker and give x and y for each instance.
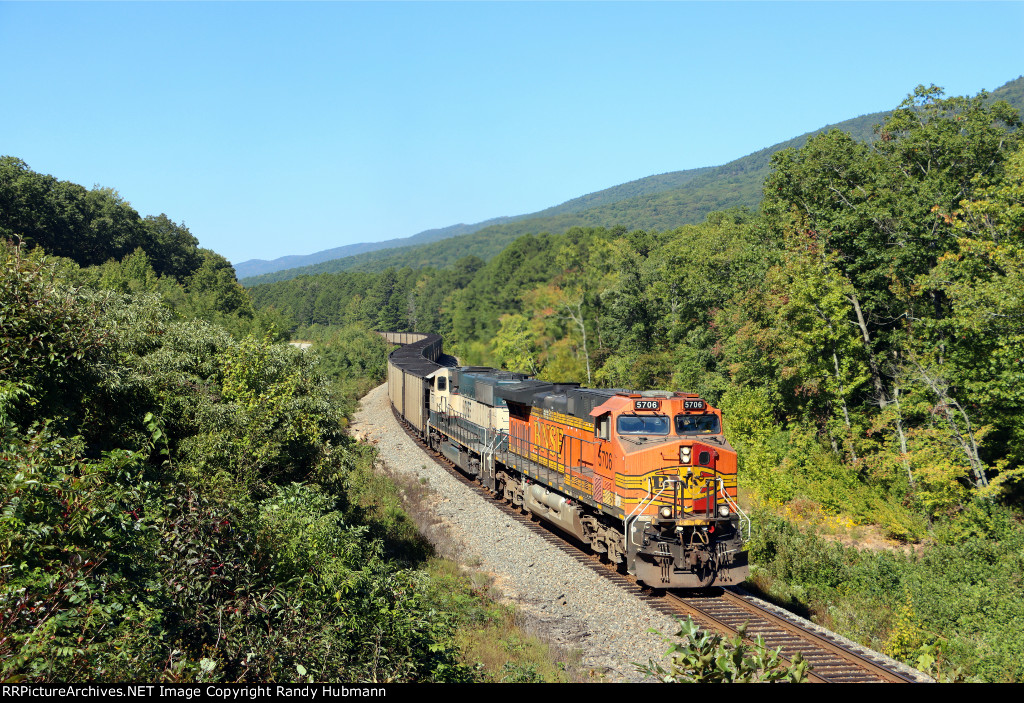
(662, 202)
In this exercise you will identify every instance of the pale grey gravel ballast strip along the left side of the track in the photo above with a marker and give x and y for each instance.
(565, 602)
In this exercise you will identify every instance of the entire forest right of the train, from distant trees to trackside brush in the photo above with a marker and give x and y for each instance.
(864, 333)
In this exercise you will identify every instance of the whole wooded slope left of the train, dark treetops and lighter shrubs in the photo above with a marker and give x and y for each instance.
(179, 499)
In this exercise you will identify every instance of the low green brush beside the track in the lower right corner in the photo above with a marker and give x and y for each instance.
(962, 592)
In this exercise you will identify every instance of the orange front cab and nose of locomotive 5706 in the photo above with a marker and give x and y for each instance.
(680, 481)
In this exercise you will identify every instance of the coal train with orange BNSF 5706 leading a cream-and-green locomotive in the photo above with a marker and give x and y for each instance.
(645, 478)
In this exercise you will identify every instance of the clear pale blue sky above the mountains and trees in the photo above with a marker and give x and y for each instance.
(283, 128)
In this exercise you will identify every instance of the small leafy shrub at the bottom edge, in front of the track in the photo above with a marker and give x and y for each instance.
(704, 657)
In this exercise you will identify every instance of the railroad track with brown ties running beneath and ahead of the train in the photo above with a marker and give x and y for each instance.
(717, 609)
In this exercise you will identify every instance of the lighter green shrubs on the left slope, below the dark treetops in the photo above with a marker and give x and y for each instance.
(158, 519)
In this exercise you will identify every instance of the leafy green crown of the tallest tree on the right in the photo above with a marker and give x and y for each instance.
(881, 208)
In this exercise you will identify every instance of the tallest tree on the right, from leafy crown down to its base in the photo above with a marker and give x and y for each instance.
(883, 214)
